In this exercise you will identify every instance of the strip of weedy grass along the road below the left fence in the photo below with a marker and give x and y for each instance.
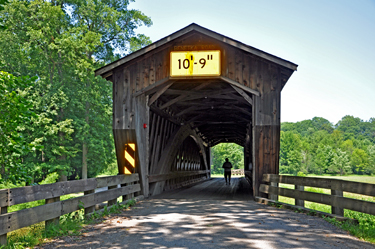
(69, 225)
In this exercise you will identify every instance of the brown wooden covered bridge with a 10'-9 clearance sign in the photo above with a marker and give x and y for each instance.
(178, 97)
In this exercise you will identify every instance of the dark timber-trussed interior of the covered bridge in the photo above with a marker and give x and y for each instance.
(212, 112)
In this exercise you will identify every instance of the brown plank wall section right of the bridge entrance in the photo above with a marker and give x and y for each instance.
(266, 123)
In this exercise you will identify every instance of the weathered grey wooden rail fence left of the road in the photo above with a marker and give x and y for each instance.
(54, 208)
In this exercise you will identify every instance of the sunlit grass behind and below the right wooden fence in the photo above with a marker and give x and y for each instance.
(365, 229)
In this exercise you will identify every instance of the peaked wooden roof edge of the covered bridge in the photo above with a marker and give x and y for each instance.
(191, 28)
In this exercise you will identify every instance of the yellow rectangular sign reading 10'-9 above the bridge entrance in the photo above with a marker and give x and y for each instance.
(195, 63)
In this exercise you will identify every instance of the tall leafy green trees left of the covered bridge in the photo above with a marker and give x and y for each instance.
(62, 44)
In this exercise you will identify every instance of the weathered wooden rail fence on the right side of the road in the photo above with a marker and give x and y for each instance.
(336, 200)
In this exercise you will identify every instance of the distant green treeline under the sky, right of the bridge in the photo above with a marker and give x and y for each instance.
(318, 147)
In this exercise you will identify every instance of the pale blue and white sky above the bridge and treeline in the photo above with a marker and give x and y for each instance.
(331, 41)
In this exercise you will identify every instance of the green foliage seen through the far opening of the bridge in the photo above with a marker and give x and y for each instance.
(231, 151)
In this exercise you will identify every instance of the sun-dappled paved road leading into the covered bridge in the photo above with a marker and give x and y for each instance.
(210, 215)
